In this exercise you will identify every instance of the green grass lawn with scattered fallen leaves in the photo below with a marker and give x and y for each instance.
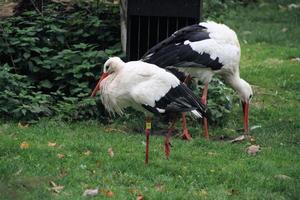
(200, 169)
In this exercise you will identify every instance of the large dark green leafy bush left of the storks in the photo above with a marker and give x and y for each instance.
(51, 60)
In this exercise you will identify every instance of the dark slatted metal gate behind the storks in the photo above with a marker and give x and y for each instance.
(146, 22)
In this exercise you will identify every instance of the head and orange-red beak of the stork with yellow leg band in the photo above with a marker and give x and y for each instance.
(112, 65)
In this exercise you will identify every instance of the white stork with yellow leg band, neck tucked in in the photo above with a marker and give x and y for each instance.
(147, 88)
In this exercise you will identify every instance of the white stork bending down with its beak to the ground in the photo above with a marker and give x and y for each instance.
(202, 50)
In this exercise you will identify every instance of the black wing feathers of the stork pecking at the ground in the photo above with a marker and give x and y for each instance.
(173, 52)
